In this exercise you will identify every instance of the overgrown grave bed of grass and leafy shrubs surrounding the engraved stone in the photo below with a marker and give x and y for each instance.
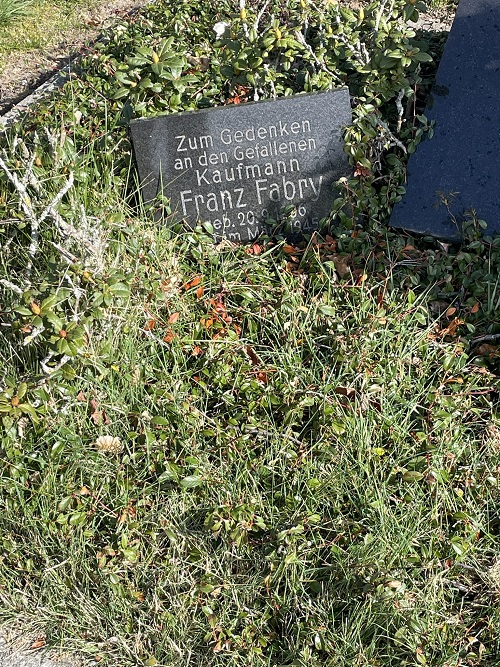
(272, 454)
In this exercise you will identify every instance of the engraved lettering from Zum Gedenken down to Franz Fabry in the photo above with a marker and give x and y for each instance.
(266, 143)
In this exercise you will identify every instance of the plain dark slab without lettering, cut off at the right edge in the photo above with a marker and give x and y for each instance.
(459, 168)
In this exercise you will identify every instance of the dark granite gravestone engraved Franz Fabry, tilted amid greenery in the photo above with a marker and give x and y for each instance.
(237, 166)
